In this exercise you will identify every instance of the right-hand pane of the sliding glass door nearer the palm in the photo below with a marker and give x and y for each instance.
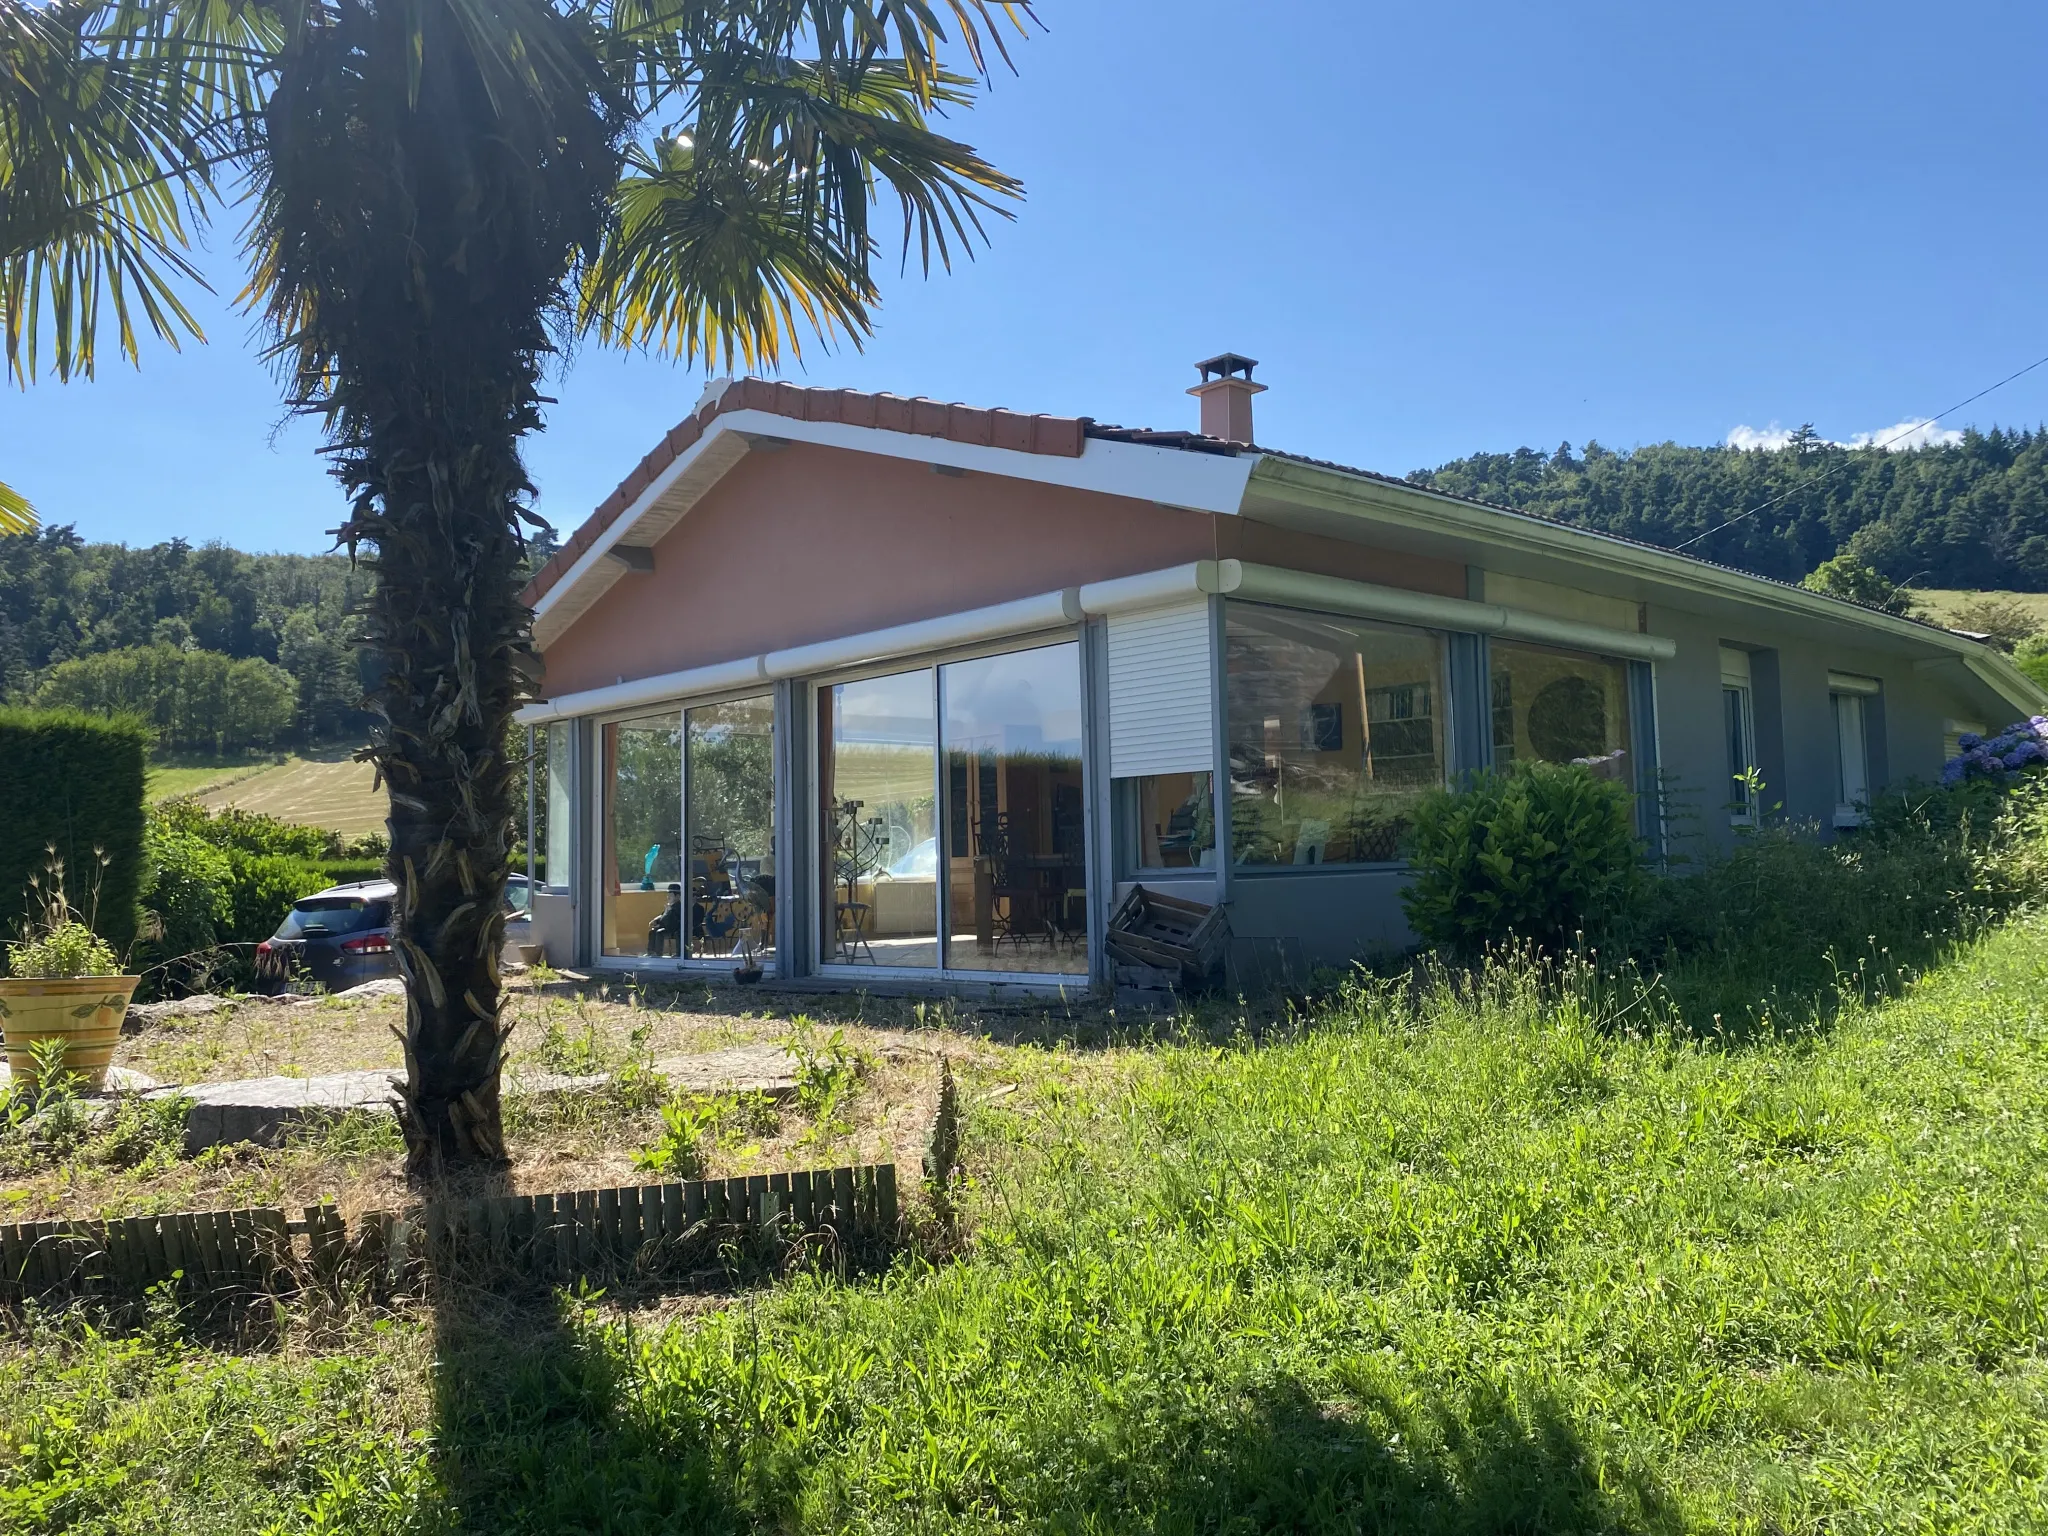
(732, 828)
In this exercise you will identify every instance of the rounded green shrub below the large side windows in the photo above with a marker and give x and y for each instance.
(1537, 853)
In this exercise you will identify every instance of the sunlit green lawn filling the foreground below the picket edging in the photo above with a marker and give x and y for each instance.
(1433, 1265)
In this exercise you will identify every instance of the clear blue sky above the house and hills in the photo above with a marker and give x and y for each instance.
(1441, 228)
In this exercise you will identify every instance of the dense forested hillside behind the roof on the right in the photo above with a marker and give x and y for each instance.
(1973, 515)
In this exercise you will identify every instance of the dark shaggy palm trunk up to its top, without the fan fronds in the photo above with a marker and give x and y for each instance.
(419, 230)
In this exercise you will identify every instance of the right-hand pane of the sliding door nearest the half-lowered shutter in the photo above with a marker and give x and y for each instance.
(1017, 867)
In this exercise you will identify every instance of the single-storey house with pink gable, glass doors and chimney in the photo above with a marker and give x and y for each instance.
(882, 689)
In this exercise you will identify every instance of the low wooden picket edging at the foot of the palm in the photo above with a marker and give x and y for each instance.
(560, 1238)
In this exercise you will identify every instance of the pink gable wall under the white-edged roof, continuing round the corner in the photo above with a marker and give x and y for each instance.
(812, 544)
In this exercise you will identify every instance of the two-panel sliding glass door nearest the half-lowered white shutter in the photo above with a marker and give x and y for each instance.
(951, 816)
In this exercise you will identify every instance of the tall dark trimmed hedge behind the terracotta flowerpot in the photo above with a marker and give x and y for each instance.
(73, 783)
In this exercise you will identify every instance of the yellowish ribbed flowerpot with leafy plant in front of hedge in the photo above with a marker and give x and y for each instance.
(62, 986)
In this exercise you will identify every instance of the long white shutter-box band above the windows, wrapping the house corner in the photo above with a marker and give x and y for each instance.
(1123, 595)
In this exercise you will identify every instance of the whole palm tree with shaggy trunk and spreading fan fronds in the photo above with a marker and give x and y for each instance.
(443, 196)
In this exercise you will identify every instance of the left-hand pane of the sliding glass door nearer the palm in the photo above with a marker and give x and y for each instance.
(642, 867)
